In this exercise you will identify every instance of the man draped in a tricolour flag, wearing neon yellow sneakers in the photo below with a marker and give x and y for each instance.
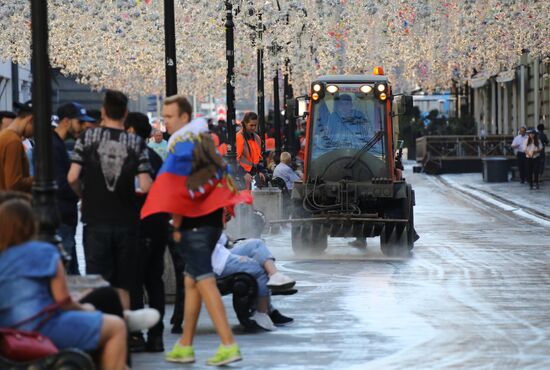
(194, 186)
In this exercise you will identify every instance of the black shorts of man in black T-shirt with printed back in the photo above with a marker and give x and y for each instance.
(112, 252)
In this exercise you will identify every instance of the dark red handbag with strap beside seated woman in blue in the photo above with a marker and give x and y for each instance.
(23, 345)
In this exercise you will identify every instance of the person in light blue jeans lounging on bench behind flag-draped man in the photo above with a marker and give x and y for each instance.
(252, 257)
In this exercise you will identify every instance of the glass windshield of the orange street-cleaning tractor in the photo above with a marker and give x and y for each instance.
(348, 119)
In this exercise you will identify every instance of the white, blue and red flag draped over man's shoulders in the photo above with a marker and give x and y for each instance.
(194, 179)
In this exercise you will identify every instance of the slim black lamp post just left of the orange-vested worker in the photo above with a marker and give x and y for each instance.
(230, 82)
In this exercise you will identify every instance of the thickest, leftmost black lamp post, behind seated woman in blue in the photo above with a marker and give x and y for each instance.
(44, 186)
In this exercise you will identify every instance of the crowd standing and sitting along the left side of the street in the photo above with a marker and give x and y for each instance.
(122, 174)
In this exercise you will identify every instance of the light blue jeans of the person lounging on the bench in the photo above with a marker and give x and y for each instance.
(249, 256)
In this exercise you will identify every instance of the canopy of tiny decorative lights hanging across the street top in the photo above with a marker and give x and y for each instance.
(422, 43)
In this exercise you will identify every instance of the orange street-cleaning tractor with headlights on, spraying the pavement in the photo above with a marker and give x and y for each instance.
(353, 183)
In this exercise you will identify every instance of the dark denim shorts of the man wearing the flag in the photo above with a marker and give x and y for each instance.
(196, 247)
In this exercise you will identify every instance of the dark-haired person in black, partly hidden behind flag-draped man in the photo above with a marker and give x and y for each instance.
(153, 238)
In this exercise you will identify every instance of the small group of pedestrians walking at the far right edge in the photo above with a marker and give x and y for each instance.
(529, 146)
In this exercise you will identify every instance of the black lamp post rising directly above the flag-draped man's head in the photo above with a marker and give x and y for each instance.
(170, 48)
